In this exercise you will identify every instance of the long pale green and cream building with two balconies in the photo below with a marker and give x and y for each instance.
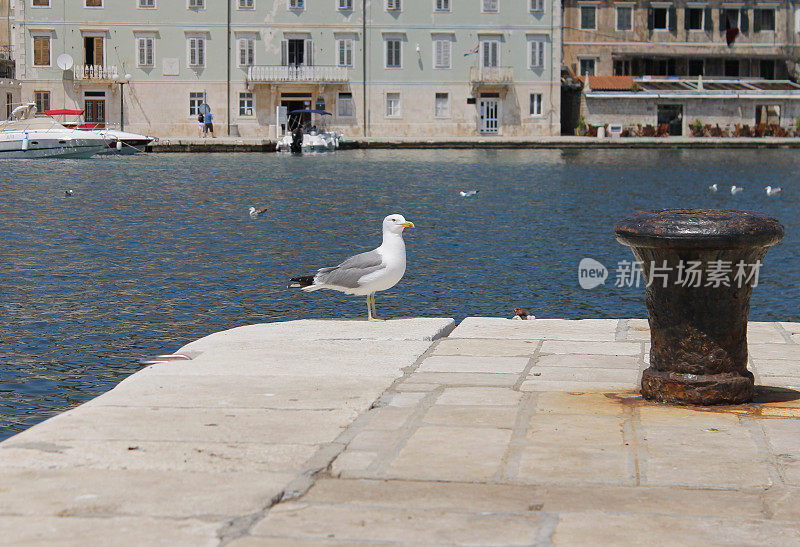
(387, 68)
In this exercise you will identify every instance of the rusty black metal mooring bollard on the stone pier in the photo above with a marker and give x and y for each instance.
(698, 330)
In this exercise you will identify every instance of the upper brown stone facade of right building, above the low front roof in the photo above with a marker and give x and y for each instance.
(709, 38)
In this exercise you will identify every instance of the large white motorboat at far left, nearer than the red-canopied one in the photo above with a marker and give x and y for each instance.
(26, 136)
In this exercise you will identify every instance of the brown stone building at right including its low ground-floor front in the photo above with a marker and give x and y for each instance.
(678, 62)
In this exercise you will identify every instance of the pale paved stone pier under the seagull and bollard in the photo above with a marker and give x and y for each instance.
(413, 432)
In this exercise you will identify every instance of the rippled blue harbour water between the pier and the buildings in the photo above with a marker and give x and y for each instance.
(154, 251)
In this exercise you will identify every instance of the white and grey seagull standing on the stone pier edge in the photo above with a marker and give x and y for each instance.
(366, 273)
